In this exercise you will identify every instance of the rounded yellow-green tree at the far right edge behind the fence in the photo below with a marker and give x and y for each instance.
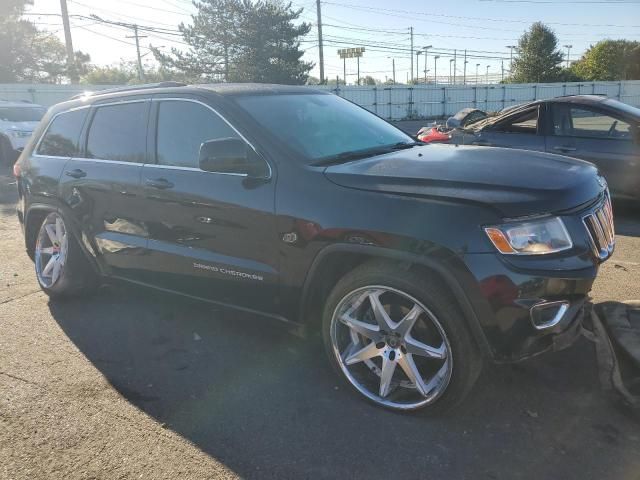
(610, 60)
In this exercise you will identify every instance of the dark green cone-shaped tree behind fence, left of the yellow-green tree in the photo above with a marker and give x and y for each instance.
(538, 58)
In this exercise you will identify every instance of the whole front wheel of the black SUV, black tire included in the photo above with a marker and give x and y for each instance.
(399, 339)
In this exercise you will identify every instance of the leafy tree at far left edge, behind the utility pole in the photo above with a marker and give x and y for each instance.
(28, 54)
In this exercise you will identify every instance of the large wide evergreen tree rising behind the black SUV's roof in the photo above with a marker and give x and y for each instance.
(241, 41)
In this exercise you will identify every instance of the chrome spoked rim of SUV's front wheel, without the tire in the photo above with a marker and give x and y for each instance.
(391, 347)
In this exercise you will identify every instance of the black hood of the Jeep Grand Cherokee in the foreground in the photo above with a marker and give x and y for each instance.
(516, 182)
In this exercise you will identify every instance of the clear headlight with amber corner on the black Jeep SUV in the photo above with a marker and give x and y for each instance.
(535, 237)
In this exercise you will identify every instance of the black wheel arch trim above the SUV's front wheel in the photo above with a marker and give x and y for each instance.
(334, 261)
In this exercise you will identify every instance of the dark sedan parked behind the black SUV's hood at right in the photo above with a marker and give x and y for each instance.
(598, 129)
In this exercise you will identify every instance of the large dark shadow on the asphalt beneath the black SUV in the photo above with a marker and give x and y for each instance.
(267, 404)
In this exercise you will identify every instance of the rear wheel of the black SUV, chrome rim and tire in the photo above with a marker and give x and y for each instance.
(61, 268)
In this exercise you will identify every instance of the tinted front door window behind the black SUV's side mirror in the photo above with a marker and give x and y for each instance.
(182, 128)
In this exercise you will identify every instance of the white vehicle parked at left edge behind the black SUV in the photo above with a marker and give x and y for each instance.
(17, 122)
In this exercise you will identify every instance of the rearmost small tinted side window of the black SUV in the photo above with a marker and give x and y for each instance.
(61, 138)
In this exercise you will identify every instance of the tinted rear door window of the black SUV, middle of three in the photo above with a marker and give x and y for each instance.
(119, 132)
